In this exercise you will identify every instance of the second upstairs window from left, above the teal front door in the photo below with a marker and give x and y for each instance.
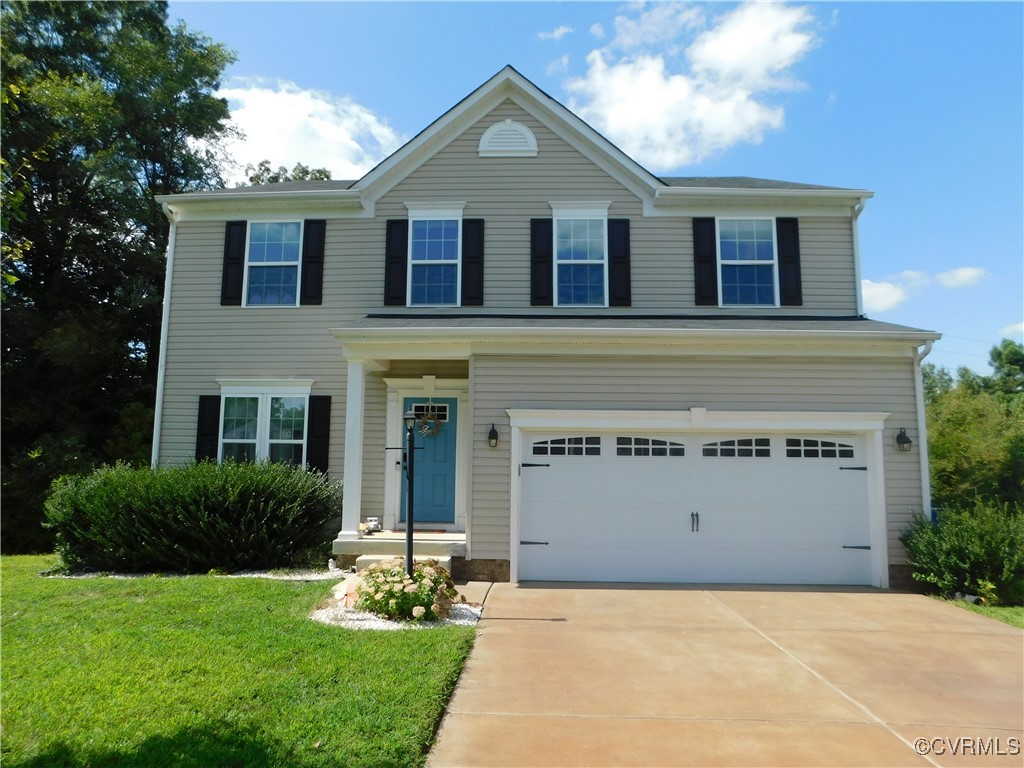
(435, 247)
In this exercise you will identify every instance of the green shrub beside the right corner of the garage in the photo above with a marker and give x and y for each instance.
(977, 550)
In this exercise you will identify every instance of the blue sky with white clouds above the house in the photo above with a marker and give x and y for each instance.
(921, 103)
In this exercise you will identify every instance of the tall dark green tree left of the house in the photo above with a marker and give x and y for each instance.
(105, 106)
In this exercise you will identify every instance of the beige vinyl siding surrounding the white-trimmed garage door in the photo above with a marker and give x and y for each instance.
(664, 383)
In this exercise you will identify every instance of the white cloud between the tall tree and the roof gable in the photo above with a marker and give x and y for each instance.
(287, 124)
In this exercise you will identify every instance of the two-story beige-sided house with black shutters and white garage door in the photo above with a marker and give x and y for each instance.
(618, 377)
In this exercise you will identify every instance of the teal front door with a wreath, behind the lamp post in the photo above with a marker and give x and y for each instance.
(435, 487)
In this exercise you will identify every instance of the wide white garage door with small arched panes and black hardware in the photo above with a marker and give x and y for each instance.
(741, 509)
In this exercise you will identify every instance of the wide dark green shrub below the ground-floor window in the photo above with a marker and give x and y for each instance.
(192, 519)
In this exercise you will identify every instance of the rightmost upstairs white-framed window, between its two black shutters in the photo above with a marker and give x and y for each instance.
(748, 264)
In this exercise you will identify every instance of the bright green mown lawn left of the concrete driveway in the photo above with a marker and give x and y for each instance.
(205, 671)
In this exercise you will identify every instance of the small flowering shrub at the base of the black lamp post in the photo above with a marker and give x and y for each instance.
(389, 591)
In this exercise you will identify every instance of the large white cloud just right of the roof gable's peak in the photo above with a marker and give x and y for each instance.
(637, 93)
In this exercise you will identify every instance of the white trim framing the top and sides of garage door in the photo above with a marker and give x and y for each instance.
(868, 424)
